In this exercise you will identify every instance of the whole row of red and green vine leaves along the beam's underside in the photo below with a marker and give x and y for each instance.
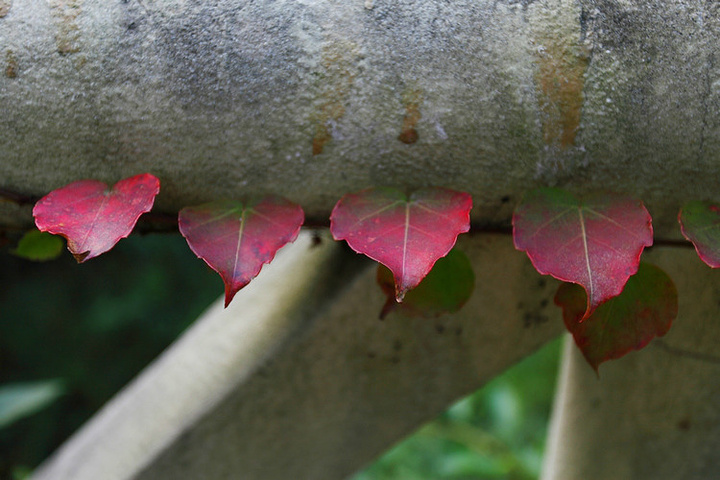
(612, 302)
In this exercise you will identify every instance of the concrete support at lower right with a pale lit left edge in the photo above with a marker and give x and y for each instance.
(652, 414)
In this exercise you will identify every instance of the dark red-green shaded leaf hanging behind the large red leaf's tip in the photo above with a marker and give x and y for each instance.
(644, 310)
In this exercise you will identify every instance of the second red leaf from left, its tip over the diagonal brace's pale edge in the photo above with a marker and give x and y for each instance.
(236, 239)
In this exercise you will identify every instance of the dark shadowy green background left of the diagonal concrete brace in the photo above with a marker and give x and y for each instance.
(92, 327)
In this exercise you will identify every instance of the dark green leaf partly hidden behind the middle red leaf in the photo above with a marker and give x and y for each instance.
(444, 290)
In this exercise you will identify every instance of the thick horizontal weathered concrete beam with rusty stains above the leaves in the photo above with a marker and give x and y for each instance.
(316, 98)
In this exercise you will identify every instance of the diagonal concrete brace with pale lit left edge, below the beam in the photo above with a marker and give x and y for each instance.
(299, 379)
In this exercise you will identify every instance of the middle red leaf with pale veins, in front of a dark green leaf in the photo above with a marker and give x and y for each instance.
(407, 235)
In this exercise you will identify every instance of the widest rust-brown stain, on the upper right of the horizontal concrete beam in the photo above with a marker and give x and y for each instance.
(560, 79)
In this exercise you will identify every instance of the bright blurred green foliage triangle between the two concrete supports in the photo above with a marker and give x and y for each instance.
(497, 432)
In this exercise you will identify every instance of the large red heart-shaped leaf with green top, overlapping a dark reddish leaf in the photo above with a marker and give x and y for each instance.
(596, 242)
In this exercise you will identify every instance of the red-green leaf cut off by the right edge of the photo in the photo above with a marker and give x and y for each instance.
(700, 223)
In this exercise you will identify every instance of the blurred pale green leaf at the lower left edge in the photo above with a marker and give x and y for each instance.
(19, 400)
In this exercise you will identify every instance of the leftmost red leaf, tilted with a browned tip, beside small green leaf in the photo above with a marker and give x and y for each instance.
(92, 217)
